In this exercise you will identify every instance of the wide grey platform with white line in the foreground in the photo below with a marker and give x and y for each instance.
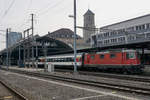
(45, 89)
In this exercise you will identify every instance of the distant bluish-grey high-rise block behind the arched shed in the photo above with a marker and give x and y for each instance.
(13, 38)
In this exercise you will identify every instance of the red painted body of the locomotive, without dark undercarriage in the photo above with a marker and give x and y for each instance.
(112, 58)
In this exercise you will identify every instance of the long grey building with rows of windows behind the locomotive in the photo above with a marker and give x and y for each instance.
(129, 31)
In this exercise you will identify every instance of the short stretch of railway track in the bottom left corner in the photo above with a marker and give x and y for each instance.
(15, 95)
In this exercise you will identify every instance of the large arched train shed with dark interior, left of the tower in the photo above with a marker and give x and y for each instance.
(44, 46)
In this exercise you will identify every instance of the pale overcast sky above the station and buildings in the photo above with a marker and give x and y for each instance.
(51, 15)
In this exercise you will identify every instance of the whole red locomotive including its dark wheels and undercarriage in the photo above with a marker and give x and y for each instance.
(125, 61)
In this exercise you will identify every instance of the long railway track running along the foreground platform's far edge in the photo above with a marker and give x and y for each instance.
(132, 89)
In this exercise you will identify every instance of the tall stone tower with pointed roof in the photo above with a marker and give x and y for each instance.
(89, 26)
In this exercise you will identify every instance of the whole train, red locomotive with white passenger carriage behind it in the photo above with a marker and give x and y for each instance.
(126, 61)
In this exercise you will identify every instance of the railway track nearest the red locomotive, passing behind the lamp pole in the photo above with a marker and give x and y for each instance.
(137, 78)
